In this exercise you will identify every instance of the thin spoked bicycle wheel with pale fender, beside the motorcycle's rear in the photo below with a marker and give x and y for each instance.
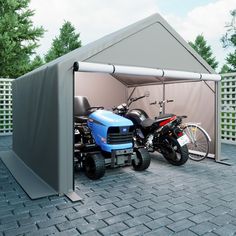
(199, 143)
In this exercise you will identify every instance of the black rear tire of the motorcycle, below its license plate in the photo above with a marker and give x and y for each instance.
(175, 154)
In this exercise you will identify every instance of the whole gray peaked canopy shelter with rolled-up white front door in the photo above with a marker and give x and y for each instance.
(147, 54)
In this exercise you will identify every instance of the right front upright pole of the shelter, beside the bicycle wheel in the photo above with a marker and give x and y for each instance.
(218, 121)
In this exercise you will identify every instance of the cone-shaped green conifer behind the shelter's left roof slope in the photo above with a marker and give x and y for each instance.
(67, 41)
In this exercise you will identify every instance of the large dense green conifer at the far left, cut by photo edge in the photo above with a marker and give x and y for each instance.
(18, 37)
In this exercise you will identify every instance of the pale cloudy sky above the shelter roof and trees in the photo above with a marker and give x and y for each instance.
(96, 18)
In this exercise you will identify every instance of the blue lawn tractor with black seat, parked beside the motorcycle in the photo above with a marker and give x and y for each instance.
(102, 139)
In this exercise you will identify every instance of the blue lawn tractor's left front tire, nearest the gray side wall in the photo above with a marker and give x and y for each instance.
(94, 166)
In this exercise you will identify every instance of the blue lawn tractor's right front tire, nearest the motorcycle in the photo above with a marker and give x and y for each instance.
(143, 159)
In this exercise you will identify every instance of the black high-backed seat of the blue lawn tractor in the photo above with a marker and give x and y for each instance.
(81, 106)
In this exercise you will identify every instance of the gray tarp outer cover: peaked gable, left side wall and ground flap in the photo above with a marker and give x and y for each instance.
(43, 100)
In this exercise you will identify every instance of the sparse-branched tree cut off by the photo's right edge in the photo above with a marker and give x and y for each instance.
(229, 40)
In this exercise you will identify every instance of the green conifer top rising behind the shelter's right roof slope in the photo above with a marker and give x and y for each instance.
(204, 50)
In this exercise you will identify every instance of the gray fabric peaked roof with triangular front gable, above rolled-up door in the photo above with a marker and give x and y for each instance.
(150, 43)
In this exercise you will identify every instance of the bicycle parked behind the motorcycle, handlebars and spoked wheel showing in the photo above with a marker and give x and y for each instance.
(199, 139)
